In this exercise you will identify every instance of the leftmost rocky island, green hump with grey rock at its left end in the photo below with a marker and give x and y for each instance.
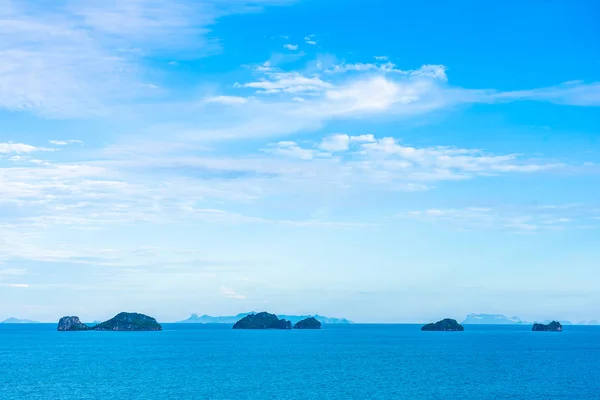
(120, 322)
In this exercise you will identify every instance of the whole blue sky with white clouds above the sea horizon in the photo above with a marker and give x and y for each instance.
(380, 161)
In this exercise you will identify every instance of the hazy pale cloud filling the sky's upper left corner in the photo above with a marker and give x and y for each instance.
(79, 58)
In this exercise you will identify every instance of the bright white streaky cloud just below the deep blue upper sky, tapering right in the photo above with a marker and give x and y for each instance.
(307, 100)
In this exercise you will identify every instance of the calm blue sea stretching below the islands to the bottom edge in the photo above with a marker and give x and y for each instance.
(338, 362)
